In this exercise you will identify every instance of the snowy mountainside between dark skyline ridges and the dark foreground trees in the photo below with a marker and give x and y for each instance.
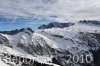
(43, 45)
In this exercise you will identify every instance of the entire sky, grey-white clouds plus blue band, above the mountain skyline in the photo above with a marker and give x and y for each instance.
(24, 13)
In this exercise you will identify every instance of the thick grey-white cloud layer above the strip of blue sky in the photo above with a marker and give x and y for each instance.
(64, 9)
